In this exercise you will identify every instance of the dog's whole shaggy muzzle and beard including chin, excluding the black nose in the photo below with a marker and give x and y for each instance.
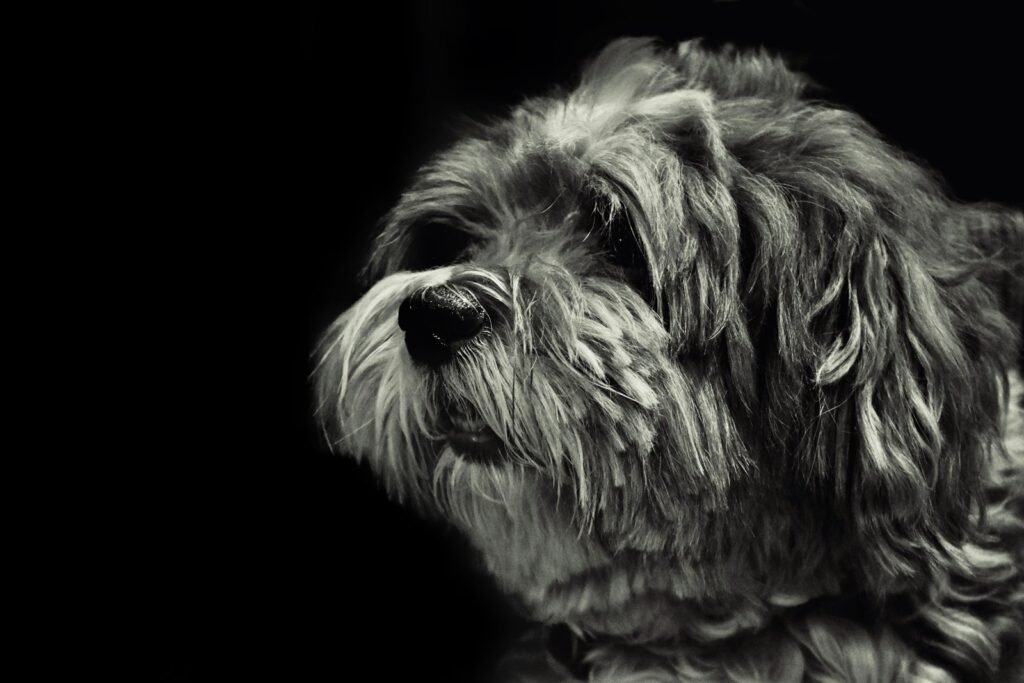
(596, 433)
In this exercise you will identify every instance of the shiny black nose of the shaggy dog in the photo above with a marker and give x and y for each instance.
(437, 320)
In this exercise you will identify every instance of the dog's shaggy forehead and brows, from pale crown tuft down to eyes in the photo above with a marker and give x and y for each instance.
(569, 162)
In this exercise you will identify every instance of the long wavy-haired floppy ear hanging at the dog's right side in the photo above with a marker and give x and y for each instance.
(883, 380)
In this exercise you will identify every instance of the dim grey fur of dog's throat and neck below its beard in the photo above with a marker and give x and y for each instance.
(565, 577)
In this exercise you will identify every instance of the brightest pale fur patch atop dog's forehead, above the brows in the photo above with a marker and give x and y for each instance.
(567, 143)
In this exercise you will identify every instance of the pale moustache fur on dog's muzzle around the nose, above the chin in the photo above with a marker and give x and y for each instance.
(559, 391)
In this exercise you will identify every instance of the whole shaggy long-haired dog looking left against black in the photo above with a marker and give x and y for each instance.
(717, 381)
